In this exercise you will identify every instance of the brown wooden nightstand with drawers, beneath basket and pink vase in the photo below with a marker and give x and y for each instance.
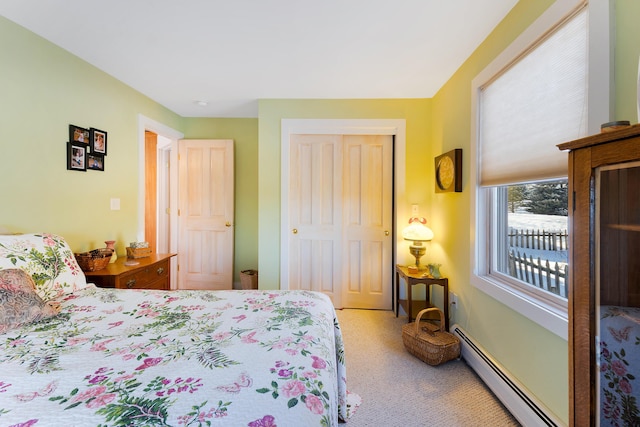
(152, 272)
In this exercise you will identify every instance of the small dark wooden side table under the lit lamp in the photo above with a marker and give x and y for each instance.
(409, 305)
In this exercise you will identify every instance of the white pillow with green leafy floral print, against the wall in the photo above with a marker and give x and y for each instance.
(47, 258)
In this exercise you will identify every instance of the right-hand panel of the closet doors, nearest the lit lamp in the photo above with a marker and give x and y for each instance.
(367, 221)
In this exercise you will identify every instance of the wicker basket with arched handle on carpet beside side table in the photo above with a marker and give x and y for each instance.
(429, 343)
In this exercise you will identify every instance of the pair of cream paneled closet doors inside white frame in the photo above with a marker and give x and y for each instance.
(340, 215)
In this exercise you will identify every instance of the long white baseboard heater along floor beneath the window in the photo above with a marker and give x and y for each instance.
(526, 408)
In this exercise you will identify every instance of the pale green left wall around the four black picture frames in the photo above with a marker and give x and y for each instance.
(44, 89)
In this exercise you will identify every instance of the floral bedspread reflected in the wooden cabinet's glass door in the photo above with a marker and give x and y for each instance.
(619, 366)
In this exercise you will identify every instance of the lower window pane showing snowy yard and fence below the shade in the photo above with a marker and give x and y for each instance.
(531, 237)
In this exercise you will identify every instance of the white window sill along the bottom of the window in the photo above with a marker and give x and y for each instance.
(551, 318)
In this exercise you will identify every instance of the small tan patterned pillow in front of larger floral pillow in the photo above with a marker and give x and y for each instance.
(19, 302)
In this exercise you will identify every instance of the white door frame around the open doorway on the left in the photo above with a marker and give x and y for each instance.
(173, 136)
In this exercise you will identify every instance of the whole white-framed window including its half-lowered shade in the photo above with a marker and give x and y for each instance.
(533, 97)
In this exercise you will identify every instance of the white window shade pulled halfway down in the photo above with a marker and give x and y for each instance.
(535, 104)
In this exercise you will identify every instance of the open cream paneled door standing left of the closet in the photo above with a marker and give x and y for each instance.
(205, 214)
